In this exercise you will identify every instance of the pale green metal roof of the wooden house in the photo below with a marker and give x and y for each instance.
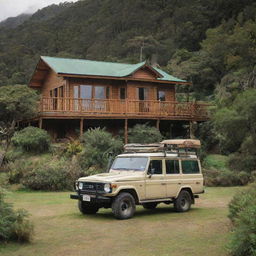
(100, 68)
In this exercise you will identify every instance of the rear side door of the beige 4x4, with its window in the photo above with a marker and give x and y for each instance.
(173, 177)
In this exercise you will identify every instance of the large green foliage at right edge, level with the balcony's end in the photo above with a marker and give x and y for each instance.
(235, 129)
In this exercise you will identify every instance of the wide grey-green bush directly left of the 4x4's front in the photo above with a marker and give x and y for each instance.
(55, 175)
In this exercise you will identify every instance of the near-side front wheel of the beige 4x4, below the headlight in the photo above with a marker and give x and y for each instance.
(123, 206)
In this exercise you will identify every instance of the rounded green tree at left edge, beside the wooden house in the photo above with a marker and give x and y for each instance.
(16, 103)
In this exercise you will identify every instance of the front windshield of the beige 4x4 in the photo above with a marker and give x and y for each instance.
(130, 163)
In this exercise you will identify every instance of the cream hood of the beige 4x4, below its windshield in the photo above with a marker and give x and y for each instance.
(115, 176)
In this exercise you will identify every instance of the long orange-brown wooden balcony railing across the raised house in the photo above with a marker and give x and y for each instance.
(115, 108)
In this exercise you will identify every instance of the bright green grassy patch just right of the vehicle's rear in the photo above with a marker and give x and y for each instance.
(215, 161)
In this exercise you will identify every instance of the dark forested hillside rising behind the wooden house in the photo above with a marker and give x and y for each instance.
(173, 32)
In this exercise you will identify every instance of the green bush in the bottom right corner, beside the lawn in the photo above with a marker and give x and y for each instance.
(242, 212)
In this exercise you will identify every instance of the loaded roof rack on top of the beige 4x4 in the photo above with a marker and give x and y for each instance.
(182, 147)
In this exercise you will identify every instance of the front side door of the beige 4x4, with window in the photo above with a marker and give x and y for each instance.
(155, 183)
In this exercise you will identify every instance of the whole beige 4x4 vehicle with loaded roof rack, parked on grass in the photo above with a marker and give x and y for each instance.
(168, 172)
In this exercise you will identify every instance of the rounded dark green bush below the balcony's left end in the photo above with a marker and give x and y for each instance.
(32, 139)
